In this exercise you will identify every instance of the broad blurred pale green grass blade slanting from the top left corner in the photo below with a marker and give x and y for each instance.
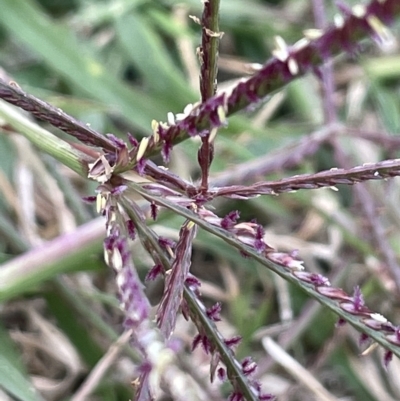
(62, 51)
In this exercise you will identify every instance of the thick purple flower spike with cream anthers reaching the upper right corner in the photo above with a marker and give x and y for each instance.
(291, 62)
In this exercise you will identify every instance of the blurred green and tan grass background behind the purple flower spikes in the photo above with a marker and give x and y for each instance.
(116, 65)
